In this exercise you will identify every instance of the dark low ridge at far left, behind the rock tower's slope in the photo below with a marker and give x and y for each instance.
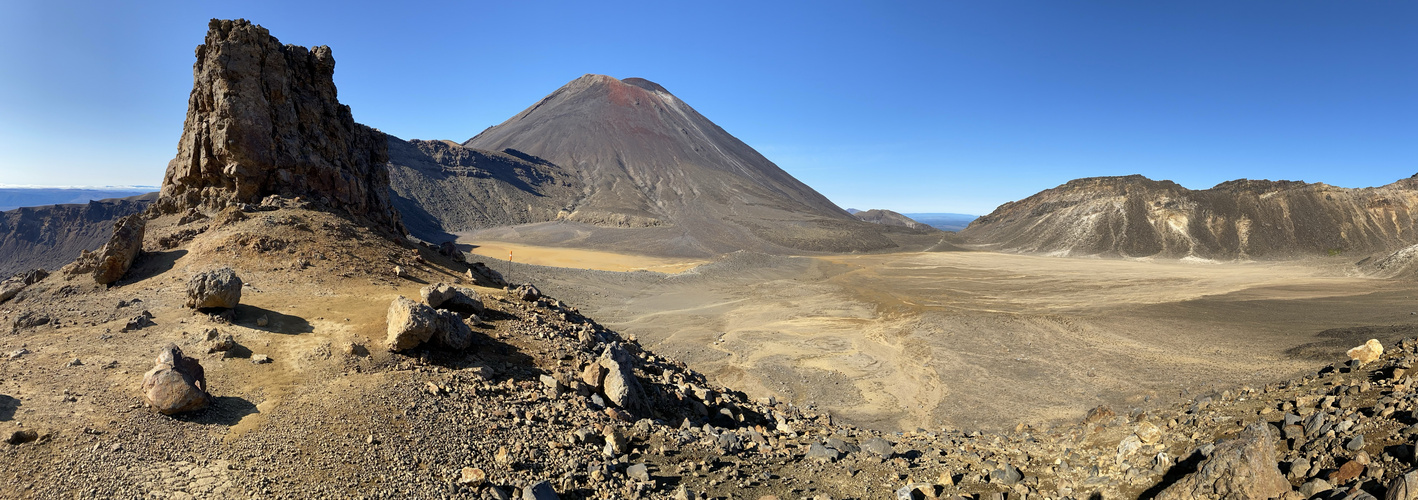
(50, 237)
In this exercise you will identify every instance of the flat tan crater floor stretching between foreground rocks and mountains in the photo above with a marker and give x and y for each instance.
(983, 341)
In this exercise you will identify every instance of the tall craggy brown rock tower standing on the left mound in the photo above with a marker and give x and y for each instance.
(264, 120)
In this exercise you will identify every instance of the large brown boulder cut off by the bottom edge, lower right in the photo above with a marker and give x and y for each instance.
(1241, 468)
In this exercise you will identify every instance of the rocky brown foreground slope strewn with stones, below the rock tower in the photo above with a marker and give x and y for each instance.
(308, 400)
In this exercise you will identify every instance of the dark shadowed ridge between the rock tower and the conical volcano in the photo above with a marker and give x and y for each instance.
(442, 188)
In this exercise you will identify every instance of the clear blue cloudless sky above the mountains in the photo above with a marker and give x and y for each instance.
(927, 107)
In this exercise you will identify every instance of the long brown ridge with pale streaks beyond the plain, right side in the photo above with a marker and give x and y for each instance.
(1237, 220)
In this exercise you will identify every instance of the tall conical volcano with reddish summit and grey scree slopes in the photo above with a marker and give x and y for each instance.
(650, 161)
